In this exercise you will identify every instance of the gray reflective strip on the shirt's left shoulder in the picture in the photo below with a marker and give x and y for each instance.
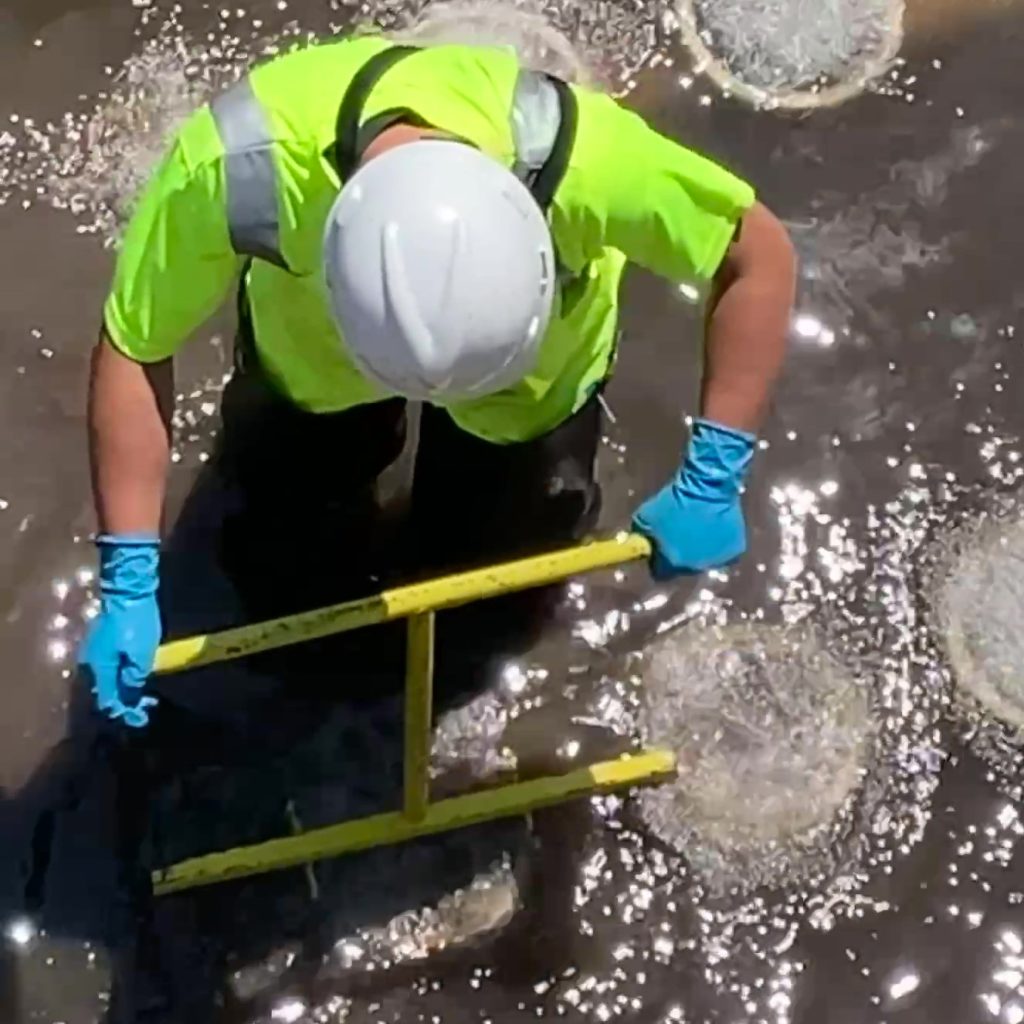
(252, 179)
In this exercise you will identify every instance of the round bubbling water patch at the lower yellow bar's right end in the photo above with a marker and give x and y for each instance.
(773, 736)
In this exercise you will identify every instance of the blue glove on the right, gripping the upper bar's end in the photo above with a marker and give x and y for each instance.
(696, 523)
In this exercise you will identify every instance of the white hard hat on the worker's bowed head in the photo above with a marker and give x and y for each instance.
(441, 272)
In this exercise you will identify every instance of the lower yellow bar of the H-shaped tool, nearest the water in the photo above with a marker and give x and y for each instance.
(383, 830)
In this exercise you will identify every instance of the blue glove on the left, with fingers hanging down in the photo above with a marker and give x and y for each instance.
(121, 647)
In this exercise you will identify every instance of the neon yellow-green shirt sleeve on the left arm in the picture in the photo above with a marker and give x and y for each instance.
(176, 265)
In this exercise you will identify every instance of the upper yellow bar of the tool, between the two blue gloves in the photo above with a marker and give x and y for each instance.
(416, 600)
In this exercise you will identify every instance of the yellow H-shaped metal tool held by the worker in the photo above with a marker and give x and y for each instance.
(419, 604)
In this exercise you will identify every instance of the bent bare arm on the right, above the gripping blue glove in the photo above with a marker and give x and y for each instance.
(748, 325)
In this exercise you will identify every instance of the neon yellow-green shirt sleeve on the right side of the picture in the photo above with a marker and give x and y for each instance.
(665, 207)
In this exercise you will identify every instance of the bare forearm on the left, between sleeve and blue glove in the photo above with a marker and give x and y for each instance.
(130, 417)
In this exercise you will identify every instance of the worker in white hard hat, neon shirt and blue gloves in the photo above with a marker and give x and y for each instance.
(433, 225)
